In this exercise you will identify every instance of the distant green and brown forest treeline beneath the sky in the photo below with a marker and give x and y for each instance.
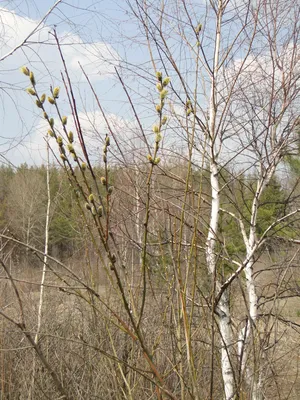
(23, 202)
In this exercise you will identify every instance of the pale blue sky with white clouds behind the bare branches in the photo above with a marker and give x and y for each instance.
(102, 36)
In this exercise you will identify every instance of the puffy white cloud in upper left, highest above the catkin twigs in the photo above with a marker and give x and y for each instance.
(97, 58)
